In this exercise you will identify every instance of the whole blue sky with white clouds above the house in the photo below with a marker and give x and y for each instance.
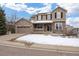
(26, 10)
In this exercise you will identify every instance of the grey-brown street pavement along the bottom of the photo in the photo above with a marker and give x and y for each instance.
(15, 51)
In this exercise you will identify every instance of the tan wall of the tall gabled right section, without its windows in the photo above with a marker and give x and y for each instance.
(60, 20)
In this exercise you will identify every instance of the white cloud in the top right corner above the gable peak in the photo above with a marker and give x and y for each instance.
(73, 8)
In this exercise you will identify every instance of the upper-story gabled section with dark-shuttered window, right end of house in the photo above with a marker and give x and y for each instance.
(59, 13)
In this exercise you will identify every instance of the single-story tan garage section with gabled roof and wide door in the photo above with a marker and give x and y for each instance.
(23, 26)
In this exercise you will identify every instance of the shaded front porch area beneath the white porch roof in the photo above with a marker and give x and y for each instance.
(42, 27)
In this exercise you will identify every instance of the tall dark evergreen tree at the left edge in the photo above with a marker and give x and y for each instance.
(3, 29)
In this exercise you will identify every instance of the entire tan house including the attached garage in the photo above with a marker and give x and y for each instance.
(53, 22)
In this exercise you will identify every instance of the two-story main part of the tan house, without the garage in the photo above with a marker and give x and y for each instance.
(54, 22)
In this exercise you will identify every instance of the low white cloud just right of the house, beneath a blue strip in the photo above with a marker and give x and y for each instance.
(73, 21)
